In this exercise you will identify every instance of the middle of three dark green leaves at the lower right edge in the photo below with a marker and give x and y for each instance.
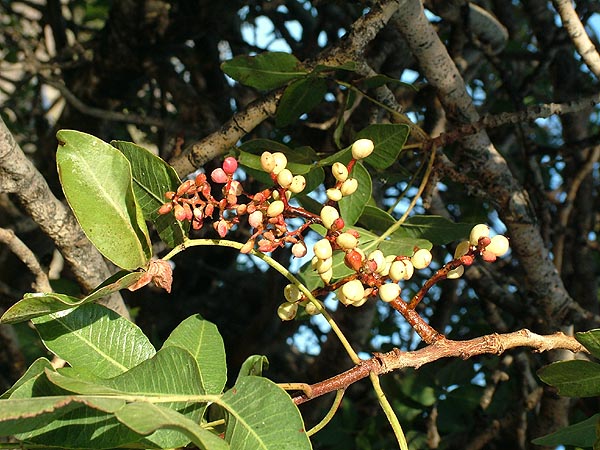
(575, 378)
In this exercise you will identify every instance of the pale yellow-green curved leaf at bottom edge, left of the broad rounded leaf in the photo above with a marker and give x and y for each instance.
(145, 418)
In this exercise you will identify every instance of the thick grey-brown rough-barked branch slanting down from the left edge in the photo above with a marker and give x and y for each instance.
(20, 177)
